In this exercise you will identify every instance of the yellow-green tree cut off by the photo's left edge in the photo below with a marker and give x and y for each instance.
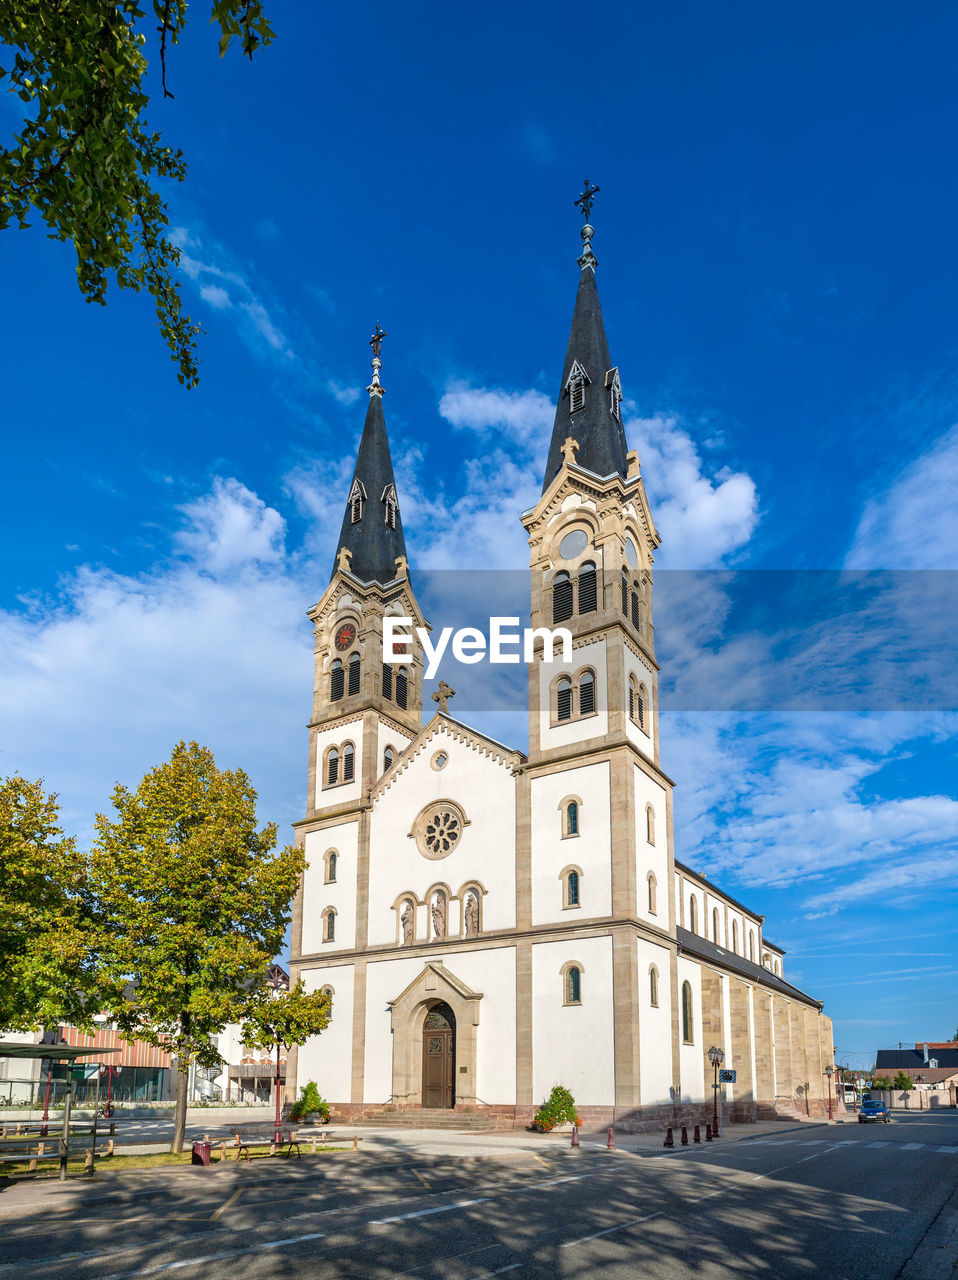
(44, 932)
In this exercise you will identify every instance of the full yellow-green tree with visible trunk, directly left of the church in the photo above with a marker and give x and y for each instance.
(193, 903)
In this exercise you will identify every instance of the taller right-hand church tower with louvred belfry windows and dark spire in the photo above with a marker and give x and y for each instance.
(600, 802)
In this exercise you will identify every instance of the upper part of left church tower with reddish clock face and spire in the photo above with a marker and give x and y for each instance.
(366, 711)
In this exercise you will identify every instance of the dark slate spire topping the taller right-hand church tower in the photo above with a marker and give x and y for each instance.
(597, 427)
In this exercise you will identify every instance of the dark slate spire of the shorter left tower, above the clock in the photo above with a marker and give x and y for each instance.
(372, 529)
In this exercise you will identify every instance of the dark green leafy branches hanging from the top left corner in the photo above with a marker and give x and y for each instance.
(86, 161)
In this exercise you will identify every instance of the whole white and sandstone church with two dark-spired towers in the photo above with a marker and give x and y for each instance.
(492, 924)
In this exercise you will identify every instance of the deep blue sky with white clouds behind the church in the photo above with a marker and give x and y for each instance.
(775, 235)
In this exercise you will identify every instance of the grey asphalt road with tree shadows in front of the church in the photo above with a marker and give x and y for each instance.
(851, 1203)
